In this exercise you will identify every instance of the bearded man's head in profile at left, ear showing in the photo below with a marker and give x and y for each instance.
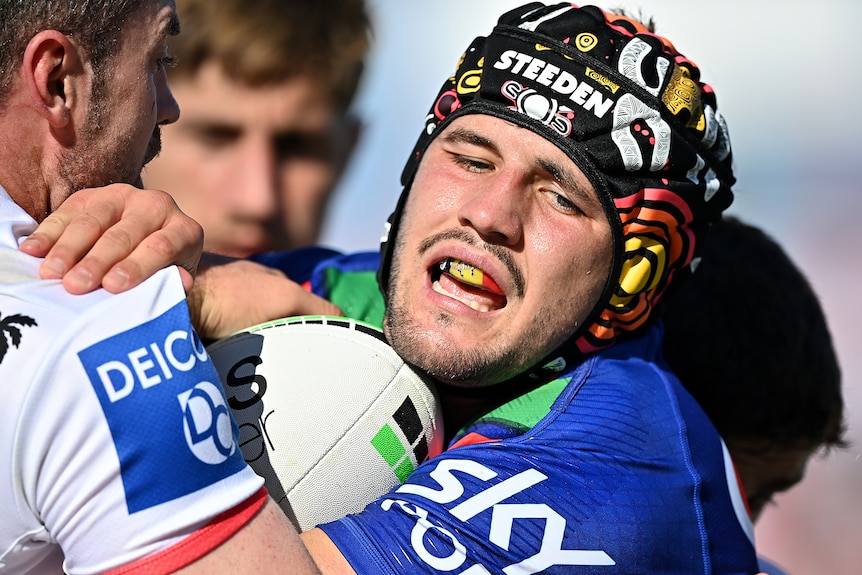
(84, 92)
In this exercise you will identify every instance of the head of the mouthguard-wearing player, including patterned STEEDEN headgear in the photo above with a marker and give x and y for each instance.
(640, 167)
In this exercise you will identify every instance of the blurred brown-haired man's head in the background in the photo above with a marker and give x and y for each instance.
(265, 88)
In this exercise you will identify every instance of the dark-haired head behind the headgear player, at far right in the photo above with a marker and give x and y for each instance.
(747, 336)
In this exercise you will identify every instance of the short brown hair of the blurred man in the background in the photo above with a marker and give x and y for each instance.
(263, 42)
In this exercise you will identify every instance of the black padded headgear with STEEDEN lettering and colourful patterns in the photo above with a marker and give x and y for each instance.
(632, 114)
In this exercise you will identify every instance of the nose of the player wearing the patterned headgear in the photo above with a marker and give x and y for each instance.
(497, 209)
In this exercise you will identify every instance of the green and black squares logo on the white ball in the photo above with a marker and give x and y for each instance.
(395, 447)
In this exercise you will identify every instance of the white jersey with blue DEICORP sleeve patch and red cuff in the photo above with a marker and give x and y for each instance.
(116, 444)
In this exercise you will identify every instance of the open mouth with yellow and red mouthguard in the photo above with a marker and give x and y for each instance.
(467, 284)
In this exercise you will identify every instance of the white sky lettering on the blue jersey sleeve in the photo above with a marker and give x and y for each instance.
(526, 529)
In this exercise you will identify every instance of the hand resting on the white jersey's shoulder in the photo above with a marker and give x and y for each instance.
(116, 237)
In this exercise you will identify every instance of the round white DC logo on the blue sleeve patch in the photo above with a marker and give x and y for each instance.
(207, 423)
